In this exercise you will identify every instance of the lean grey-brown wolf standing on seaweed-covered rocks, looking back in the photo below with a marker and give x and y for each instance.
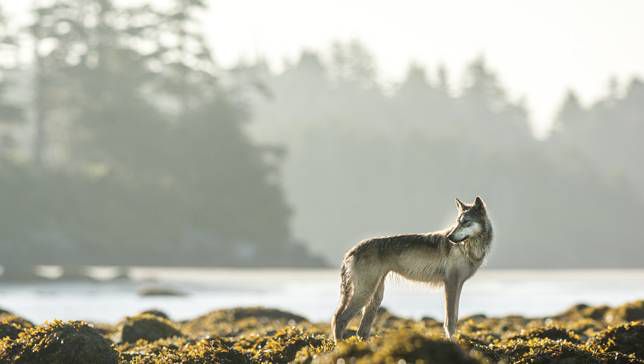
(444, 258)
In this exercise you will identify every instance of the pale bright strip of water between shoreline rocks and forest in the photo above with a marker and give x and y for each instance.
(314, 293)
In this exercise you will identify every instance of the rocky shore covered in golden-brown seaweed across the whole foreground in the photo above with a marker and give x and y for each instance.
(581, 334)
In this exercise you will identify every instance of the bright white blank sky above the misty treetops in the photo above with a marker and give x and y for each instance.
(539, 49)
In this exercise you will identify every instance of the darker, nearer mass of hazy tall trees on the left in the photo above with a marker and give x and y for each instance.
(122, 142)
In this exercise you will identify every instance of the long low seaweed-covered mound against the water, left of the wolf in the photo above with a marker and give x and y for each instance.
(231, 322)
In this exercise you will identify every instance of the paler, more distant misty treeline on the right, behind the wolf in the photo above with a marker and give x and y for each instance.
(365, 159)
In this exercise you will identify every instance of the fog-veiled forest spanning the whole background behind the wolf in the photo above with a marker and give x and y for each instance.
(124, 142)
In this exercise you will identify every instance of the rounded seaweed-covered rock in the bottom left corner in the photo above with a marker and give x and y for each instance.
(58, 342)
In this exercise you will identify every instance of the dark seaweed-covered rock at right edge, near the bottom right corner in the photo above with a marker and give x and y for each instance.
(626, 338)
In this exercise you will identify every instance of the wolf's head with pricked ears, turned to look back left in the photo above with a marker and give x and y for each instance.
(471, 221)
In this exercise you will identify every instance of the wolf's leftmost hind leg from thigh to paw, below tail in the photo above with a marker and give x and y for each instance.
(352, 302)
